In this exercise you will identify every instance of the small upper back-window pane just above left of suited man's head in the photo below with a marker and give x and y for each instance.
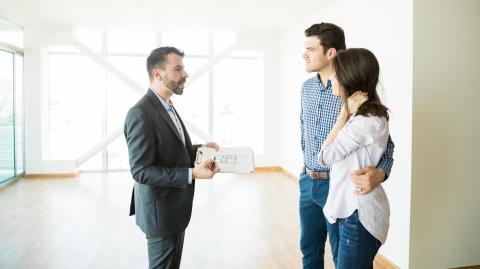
(131, 42)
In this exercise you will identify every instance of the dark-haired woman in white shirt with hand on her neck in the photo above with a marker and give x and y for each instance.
(357, 140)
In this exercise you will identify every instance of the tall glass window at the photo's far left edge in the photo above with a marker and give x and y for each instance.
(11, 102)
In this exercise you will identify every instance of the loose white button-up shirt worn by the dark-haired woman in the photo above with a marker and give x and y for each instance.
(360, 143)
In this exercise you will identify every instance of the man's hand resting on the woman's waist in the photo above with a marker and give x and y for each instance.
(367, 179)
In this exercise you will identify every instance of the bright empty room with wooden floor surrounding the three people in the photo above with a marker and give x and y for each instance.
(71, 70)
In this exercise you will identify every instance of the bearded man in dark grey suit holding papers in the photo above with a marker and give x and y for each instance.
(162, 161)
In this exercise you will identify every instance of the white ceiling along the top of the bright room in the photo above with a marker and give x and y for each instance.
(239, 15)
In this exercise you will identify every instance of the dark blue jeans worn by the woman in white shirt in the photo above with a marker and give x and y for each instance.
(357, 246)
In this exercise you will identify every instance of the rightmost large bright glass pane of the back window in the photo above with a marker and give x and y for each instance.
(238, 110)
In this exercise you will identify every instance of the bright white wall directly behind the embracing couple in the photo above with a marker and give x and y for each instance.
(384, 27)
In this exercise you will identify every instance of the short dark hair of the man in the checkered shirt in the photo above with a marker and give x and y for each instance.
(330, 35)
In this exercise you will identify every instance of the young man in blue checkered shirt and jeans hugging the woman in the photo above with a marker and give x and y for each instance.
(319, 110)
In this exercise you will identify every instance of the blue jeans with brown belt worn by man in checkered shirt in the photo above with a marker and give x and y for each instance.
(313, 225)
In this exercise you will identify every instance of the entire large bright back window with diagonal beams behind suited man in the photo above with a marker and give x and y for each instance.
(86, 101)
